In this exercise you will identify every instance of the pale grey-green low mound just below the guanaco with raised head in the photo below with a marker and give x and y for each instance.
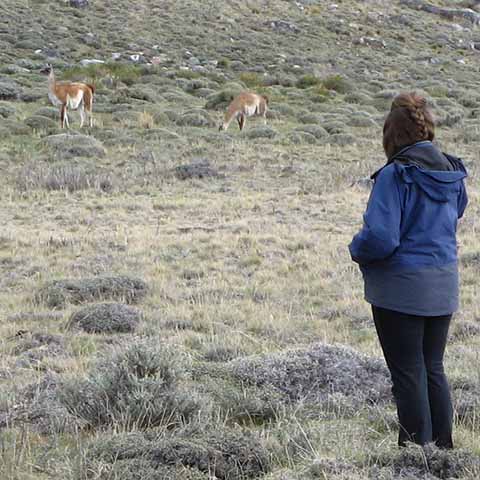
(65, 146)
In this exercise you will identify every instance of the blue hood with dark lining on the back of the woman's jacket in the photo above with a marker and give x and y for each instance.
(438, 174)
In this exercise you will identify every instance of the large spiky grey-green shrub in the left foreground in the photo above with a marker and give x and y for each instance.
(136, 387)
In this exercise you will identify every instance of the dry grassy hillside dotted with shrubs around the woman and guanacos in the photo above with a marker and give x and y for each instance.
(178, 302)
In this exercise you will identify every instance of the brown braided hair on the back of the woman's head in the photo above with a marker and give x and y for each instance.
(409, 121)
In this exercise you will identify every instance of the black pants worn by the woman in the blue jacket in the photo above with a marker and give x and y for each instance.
(413, 347)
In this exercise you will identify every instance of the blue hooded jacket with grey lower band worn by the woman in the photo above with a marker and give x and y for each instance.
(407, 248)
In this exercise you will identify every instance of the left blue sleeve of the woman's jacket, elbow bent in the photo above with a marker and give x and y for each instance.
(380, 235)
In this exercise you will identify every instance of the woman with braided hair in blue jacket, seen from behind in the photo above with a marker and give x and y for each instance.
(407, 252)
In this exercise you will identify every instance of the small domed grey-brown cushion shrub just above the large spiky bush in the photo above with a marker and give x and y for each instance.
(106, 318)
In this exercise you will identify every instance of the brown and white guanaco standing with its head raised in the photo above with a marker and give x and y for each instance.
(70, 95)
